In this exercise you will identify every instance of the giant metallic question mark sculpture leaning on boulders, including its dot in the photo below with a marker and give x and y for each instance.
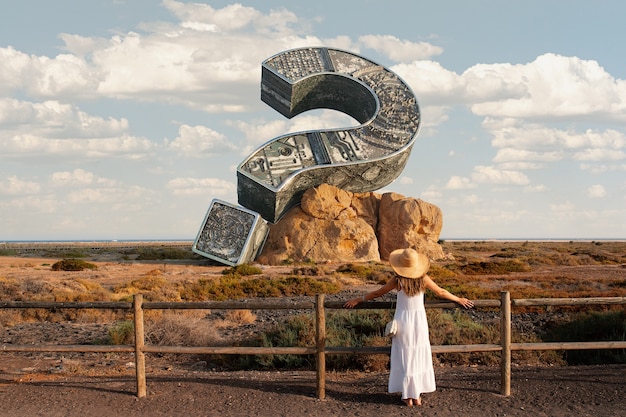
(359, 159)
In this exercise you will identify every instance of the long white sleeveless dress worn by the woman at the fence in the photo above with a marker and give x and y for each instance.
(412, 370)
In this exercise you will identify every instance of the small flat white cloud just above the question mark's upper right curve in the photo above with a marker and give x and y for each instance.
(399, 50)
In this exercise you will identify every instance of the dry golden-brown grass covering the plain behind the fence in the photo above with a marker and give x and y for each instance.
(477, 270)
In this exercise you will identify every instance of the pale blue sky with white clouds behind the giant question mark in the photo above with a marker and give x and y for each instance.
(124, 119)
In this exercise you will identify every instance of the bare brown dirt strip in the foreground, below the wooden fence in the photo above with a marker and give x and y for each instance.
(564, 391)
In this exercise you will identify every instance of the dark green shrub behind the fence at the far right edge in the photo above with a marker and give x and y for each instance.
(592, 327)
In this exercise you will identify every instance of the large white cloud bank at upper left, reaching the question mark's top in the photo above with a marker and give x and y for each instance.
(202, 58)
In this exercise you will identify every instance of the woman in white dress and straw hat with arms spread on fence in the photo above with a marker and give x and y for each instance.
(411, 370)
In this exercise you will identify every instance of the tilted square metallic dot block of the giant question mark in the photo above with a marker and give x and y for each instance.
(230, 234)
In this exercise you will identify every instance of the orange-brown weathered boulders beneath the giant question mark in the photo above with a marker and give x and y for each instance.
(334, 225)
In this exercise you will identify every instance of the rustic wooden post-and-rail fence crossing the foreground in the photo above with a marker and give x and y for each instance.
(320, 350)
